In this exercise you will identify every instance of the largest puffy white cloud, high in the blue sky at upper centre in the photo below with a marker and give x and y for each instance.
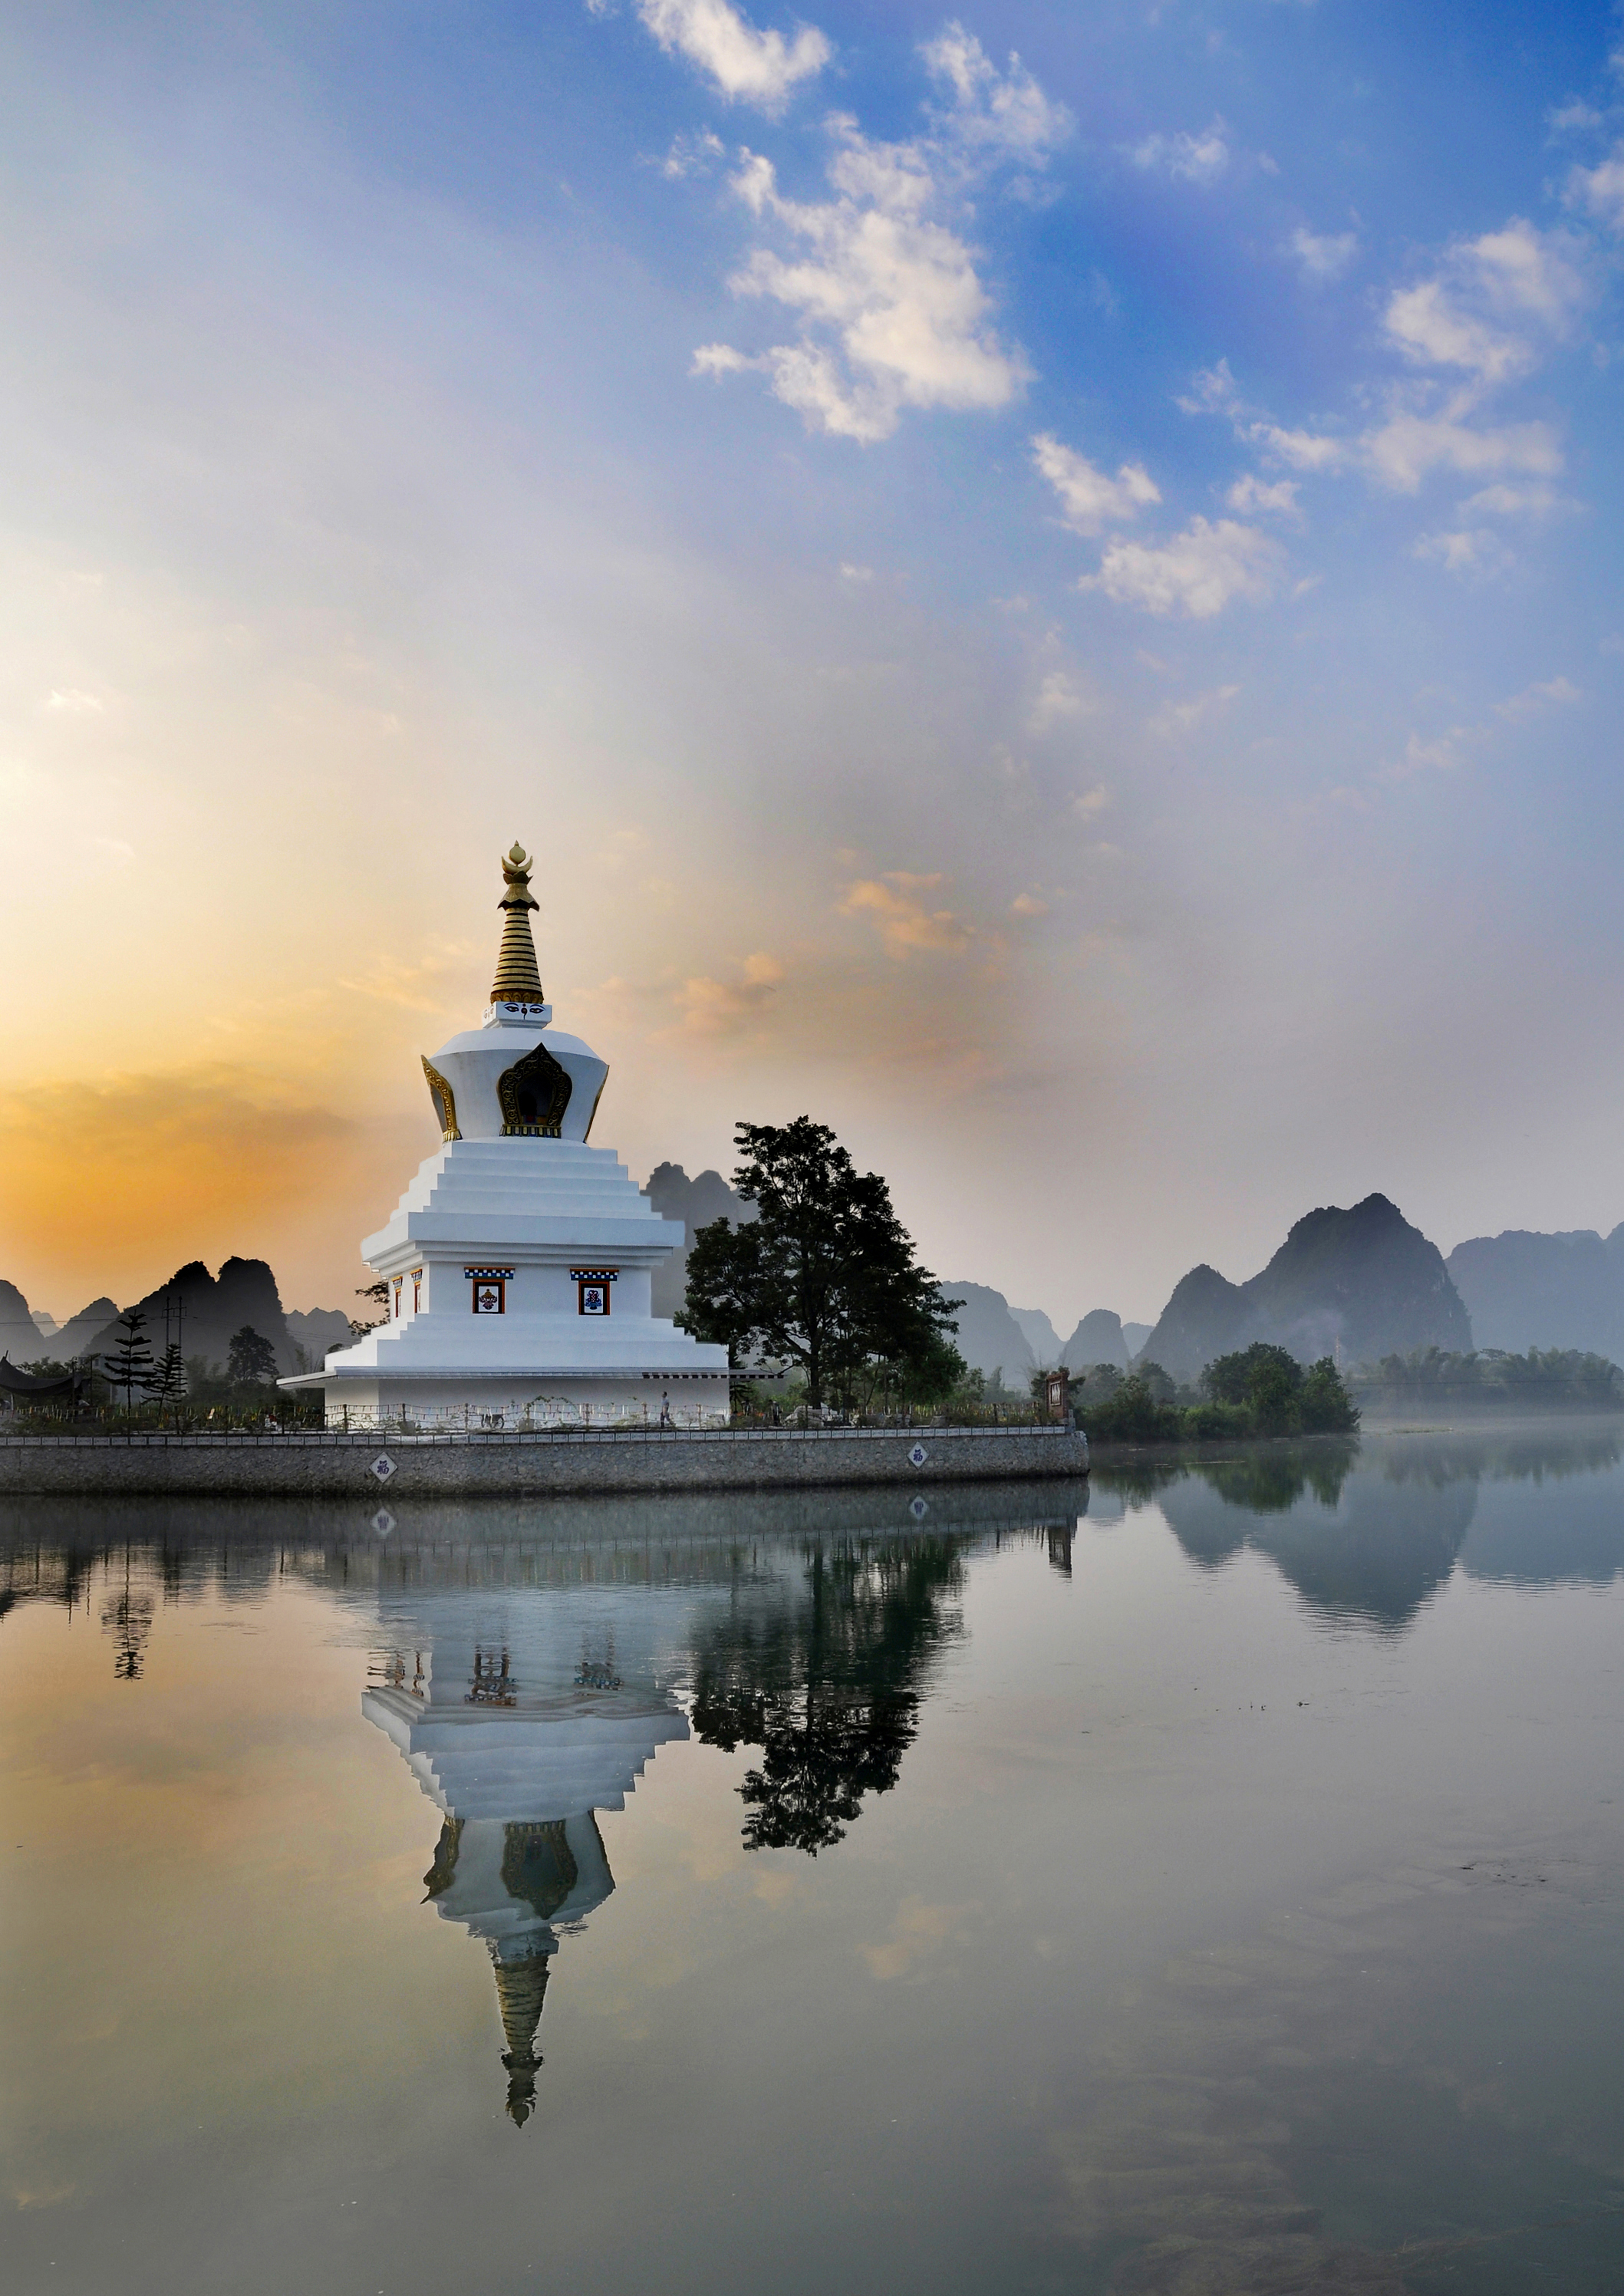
(892, 288)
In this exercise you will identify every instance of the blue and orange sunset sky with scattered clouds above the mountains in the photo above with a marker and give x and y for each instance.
(1042, 582)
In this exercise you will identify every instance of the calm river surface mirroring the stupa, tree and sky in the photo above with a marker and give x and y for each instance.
(1200, 1884)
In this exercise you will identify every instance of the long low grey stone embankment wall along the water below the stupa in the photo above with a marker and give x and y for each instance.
(529, 1466)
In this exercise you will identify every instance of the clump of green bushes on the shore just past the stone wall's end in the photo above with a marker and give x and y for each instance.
(1258, 1393)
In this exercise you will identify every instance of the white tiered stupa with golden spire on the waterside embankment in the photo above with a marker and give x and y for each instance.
(518, 1262)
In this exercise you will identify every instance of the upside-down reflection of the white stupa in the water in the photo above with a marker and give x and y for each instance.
(520, 1725)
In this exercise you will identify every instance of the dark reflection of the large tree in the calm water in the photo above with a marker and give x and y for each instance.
(828, 1682)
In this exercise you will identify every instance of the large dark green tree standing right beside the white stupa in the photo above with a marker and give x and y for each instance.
(823, 1278)
